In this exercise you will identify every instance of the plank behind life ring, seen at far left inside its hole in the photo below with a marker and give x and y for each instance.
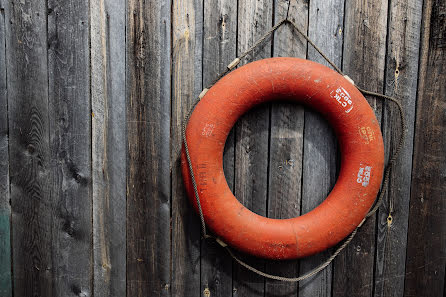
(219, 49)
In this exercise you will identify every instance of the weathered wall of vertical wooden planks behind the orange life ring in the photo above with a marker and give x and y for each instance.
(92, 98)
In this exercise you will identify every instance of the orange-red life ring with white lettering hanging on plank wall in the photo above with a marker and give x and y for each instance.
(359, 137)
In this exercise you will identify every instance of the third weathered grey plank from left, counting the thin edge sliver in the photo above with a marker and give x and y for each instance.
(70, 144)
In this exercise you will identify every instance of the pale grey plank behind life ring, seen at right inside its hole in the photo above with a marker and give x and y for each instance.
(320, 146)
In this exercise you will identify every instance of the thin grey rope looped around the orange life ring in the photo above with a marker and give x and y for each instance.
(385, 183)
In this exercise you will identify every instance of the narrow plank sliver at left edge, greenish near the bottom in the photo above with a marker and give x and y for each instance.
(5, 207)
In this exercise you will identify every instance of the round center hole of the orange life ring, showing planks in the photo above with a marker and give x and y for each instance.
(281, 159)
